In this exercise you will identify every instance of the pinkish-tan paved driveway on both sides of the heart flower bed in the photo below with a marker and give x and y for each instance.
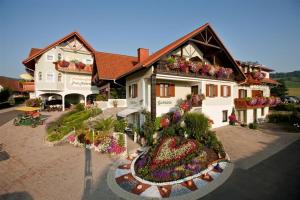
(36, 171)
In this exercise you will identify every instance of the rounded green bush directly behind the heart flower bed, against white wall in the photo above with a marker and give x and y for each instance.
(196, 125)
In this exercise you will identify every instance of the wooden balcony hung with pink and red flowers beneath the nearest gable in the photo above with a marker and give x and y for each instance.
(196, 72)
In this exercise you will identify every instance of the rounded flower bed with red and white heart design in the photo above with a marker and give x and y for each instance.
(174, 158)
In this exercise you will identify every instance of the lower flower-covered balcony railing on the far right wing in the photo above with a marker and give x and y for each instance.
(256, 102)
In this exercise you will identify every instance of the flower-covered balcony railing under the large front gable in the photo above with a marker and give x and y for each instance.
(195, 69)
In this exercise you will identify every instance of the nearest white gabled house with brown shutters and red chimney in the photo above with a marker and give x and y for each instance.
(156, 85)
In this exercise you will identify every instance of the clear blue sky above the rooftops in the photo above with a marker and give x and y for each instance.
(267, 31)
